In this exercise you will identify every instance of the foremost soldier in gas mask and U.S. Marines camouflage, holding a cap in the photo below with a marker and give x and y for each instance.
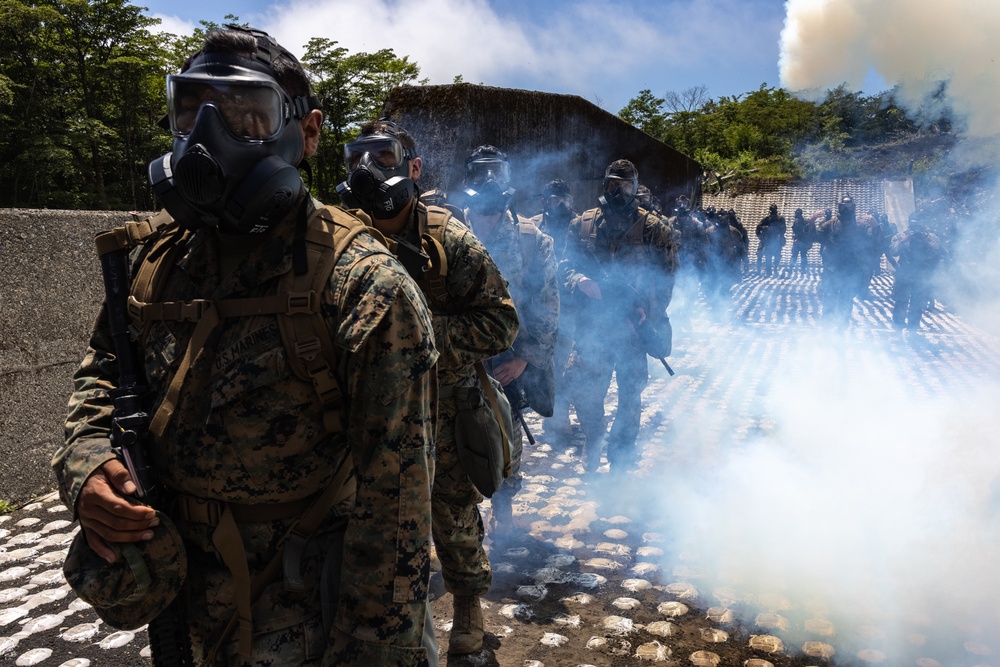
(304, 526)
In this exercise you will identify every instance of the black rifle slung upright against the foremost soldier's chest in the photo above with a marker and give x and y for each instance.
(168, 632)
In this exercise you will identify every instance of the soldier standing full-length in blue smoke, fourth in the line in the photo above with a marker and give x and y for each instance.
(620, 275)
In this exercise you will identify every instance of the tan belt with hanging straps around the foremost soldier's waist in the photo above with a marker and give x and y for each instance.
(306, 515)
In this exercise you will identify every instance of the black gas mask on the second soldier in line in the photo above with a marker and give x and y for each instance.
(378, 176)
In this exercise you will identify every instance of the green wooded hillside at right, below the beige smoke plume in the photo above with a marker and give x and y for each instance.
(769, 133)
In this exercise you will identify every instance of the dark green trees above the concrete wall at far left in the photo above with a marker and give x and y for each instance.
(83, 88)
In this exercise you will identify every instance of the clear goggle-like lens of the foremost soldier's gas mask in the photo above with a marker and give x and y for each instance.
(251, 110)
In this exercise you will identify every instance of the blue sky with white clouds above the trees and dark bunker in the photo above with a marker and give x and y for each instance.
(605, 51)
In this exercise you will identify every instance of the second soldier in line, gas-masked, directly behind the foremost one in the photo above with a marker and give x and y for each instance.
(474, 319)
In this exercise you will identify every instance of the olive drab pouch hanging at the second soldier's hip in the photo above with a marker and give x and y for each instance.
(483, 425)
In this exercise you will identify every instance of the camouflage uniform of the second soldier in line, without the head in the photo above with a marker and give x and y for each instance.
(477, 322)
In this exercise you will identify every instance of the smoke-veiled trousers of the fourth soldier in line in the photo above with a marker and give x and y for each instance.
(590, 376)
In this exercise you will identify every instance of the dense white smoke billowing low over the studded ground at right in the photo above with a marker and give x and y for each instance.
(866, 493)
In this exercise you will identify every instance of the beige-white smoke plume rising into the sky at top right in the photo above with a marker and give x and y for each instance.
(914, 43)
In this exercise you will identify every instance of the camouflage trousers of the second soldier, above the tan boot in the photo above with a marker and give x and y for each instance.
(456, 524)
